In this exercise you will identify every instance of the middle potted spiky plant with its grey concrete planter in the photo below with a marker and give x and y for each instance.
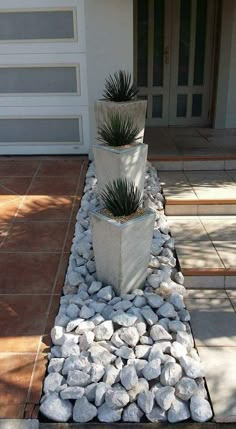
(119, 154)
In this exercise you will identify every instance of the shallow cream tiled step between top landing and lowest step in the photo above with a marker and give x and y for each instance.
(199, 193)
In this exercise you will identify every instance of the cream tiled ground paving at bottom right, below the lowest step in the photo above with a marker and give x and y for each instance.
(213, 322)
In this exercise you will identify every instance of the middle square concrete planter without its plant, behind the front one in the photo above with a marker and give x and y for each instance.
(112, 163)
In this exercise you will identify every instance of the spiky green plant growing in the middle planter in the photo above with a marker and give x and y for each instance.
(118, 130)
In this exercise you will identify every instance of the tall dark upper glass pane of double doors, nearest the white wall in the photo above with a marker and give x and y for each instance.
(159, 19)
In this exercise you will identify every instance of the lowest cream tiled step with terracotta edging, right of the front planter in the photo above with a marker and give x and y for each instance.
(206, 250)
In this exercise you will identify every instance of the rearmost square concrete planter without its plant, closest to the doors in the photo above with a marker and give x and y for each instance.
(136, 109)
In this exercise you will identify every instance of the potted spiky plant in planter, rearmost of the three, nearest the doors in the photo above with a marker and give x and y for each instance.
(119, 96)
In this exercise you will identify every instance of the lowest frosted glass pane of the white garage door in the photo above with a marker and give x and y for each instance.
(43, 130)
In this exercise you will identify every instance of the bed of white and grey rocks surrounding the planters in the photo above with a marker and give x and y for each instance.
(129, 358)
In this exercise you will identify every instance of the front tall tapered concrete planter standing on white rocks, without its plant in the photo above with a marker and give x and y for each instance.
(122, 250)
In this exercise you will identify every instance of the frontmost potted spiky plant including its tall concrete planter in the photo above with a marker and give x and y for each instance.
(122, 237)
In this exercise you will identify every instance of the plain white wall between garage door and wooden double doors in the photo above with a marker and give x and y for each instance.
(109, 43)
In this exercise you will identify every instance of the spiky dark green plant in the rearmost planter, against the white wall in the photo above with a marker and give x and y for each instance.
(119, 87)
